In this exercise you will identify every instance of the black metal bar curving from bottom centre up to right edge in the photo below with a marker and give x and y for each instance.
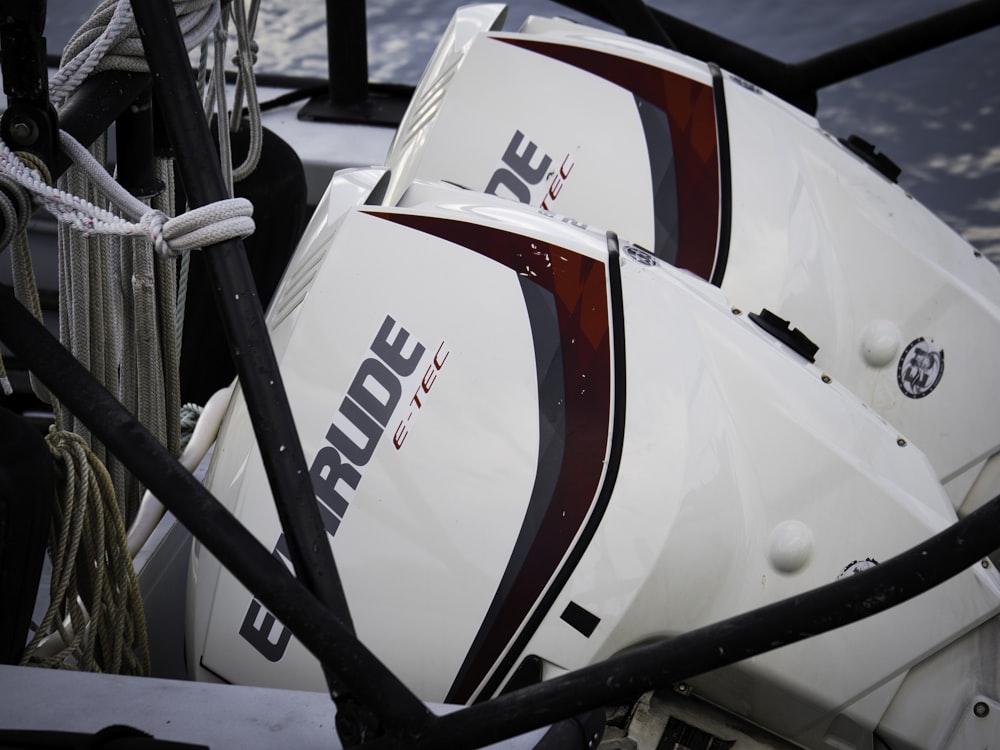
(623, 678)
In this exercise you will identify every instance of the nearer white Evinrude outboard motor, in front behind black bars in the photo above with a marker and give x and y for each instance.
(534, 445)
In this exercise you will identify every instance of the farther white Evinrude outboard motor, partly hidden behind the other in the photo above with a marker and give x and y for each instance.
(712, 174)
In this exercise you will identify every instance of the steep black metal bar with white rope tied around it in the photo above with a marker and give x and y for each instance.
(242, 317)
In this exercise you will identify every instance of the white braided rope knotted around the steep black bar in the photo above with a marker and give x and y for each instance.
(215, 222)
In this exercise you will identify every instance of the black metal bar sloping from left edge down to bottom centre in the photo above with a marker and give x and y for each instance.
(236, 548)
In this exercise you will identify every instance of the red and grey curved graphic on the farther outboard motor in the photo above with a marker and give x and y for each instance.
(683, 148)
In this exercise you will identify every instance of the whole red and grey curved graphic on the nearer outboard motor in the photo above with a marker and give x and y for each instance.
(566, 296)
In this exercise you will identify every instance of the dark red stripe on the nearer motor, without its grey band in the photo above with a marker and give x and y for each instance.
(579, 287)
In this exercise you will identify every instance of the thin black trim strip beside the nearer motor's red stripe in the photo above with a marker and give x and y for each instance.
(513, 655)
